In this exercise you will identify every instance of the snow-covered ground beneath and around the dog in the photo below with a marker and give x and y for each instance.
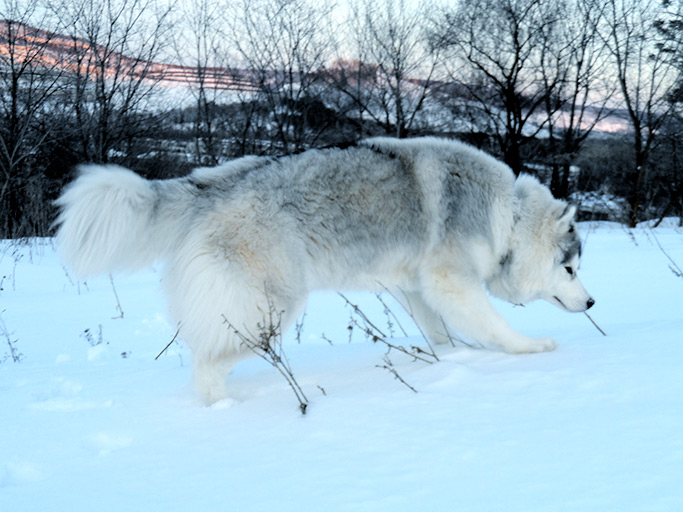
(90, 421)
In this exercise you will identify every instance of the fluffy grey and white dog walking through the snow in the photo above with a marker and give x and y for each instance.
(437, 221)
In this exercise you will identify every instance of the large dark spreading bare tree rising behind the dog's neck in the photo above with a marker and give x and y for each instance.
(495, 53)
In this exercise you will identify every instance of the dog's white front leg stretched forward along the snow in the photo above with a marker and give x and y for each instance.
(465, 306)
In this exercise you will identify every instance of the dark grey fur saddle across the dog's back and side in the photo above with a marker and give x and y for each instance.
(381, 193)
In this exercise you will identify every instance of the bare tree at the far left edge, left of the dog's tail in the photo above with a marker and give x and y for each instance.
(29, 79)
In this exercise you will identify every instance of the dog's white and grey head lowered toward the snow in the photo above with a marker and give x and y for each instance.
(544, 254)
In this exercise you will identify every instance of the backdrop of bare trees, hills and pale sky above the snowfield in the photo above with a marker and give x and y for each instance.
(585, 94)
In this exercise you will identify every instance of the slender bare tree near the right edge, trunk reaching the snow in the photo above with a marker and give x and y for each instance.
(644, 62)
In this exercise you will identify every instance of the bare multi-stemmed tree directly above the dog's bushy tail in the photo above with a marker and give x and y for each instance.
(114, 45)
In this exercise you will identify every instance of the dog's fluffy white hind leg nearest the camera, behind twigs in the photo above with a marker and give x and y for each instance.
(218, 304)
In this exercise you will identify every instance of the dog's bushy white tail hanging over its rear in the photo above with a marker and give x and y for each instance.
(106, 222)
